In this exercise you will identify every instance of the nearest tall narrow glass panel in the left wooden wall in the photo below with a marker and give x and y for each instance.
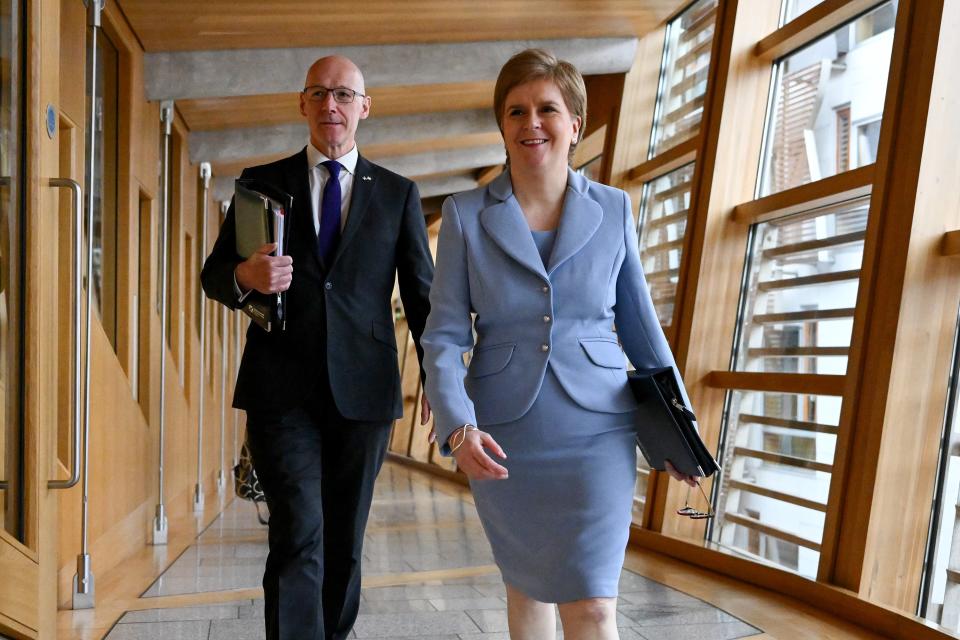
(105, 186)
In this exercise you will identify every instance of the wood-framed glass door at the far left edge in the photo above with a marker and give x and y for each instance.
(29, 226)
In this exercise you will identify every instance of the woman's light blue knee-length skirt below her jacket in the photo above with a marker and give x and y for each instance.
(559, 524)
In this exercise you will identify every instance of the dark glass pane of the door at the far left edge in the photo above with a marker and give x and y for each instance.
(11, 270)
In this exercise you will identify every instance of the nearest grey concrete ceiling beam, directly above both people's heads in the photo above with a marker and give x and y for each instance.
(179, 75)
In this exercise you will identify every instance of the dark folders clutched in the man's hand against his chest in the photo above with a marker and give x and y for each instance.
(262, 215)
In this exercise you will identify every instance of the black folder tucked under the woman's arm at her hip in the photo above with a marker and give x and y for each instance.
(667, 429)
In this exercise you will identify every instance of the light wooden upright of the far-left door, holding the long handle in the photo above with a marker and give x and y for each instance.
(40, 341)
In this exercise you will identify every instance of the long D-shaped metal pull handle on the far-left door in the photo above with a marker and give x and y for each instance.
(67, 183)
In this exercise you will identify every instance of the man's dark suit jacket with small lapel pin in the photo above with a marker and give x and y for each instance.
(338, 314)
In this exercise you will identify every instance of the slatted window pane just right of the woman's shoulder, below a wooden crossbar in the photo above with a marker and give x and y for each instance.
(663, 223)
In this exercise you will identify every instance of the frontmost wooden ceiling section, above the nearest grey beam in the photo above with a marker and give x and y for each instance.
(168, 25)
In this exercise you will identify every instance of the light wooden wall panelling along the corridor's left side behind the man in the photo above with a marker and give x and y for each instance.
(124, 435)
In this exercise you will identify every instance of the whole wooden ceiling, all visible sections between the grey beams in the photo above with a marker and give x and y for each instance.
(191, 25)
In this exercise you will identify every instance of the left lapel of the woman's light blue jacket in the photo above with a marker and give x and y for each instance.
(504, 222)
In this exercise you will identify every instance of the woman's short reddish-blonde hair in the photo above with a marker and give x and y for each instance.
(538, 64)
